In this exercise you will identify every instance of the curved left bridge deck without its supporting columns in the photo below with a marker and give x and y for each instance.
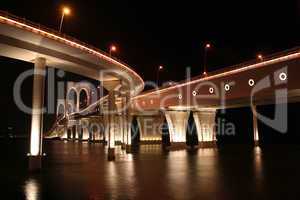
(25, 40)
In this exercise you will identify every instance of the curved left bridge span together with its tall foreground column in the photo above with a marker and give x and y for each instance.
(27, 41)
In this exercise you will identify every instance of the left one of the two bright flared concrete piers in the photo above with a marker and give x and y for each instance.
(177, 123)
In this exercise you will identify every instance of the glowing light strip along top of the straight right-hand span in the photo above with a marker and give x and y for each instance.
(234, 71)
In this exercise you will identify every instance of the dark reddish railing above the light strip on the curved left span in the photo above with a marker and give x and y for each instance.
(58, 34)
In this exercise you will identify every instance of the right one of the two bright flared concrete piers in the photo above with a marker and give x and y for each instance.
(205, 124)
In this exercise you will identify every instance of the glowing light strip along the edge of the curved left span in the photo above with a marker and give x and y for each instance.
(50, 35)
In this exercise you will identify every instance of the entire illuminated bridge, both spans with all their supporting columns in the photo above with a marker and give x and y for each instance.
(110, 118)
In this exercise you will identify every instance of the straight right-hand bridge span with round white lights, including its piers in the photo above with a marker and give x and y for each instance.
(271, 81)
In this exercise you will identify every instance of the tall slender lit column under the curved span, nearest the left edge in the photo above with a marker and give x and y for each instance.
(36, 134)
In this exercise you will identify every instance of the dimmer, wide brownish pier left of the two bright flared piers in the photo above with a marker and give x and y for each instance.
(150, 128)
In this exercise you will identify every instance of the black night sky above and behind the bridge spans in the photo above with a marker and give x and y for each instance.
(168, 33)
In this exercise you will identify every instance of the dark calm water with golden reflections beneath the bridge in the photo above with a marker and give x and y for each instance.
(80, 171)
